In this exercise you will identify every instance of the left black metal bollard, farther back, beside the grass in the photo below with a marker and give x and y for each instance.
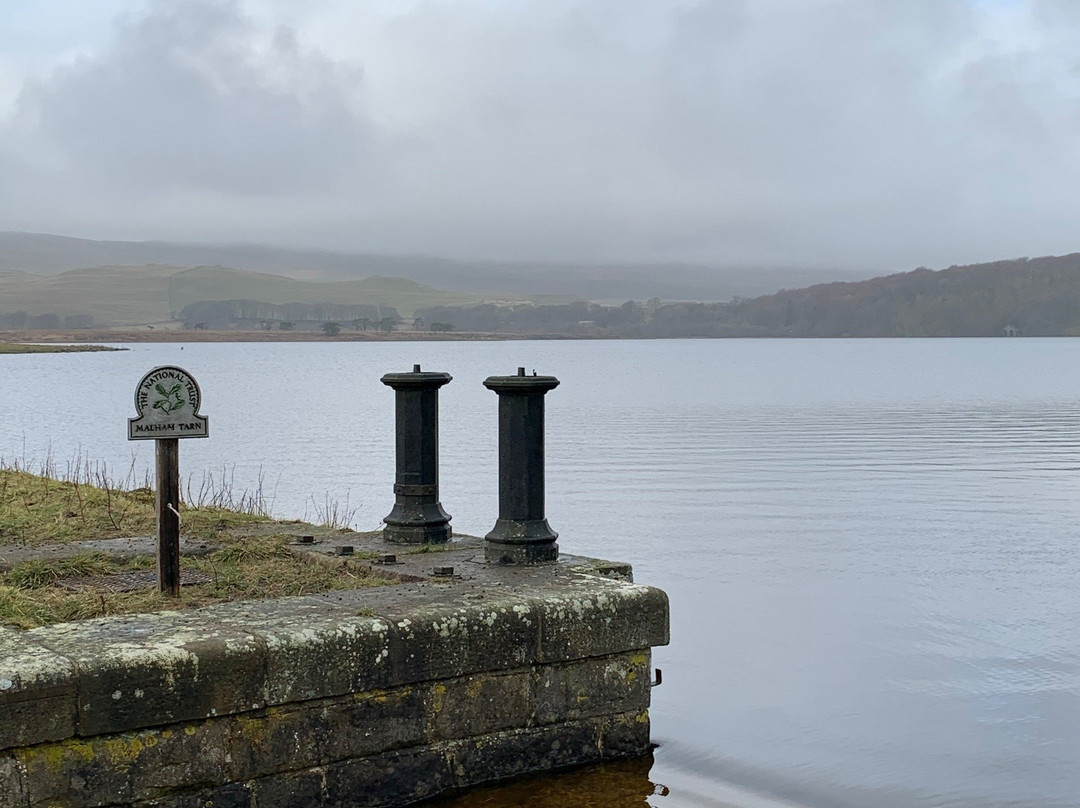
(418, 517)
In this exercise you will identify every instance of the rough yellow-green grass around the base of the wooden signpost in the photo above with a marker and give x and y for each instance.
(247, 564)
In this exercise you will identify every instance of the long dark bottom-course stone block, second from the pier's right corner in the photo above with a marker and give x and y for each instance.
(517, 752)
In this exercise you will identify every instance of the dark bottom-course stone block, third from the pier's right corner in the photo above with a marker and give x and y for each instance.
(394, 779)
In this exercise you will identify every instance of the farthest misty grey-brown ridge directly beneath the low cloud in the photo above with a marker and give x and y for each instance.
(43, 254)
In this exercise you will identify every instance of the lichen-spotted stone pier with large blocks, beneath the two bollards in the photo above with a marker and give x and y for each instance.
(381, 697)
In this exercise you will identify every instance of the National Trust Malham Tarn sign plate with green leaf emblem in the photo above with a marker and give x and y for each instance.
(168, 402)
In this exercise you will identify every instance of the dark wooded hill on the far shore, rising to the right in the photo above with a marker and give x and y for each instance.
(1021, 298)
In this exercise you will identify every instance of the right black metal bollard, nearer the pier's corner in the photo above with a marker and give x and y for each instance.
(522, 535)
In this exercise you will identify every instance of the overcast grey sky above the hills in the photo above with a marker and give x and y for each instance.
(862, 134)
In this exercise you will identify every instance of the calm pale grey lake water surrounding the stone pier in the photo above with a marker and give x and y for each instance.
(871, 546)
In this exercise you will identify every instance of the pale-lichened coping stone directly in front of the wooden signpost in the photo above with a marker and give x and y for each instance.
(154, 670)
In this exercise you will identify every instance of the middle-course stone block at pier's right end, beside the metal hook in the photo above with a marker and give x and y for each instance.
(599, 686)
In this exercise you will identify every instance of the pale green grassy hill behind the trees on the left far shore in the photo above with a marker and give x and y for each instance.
(157, 294)
